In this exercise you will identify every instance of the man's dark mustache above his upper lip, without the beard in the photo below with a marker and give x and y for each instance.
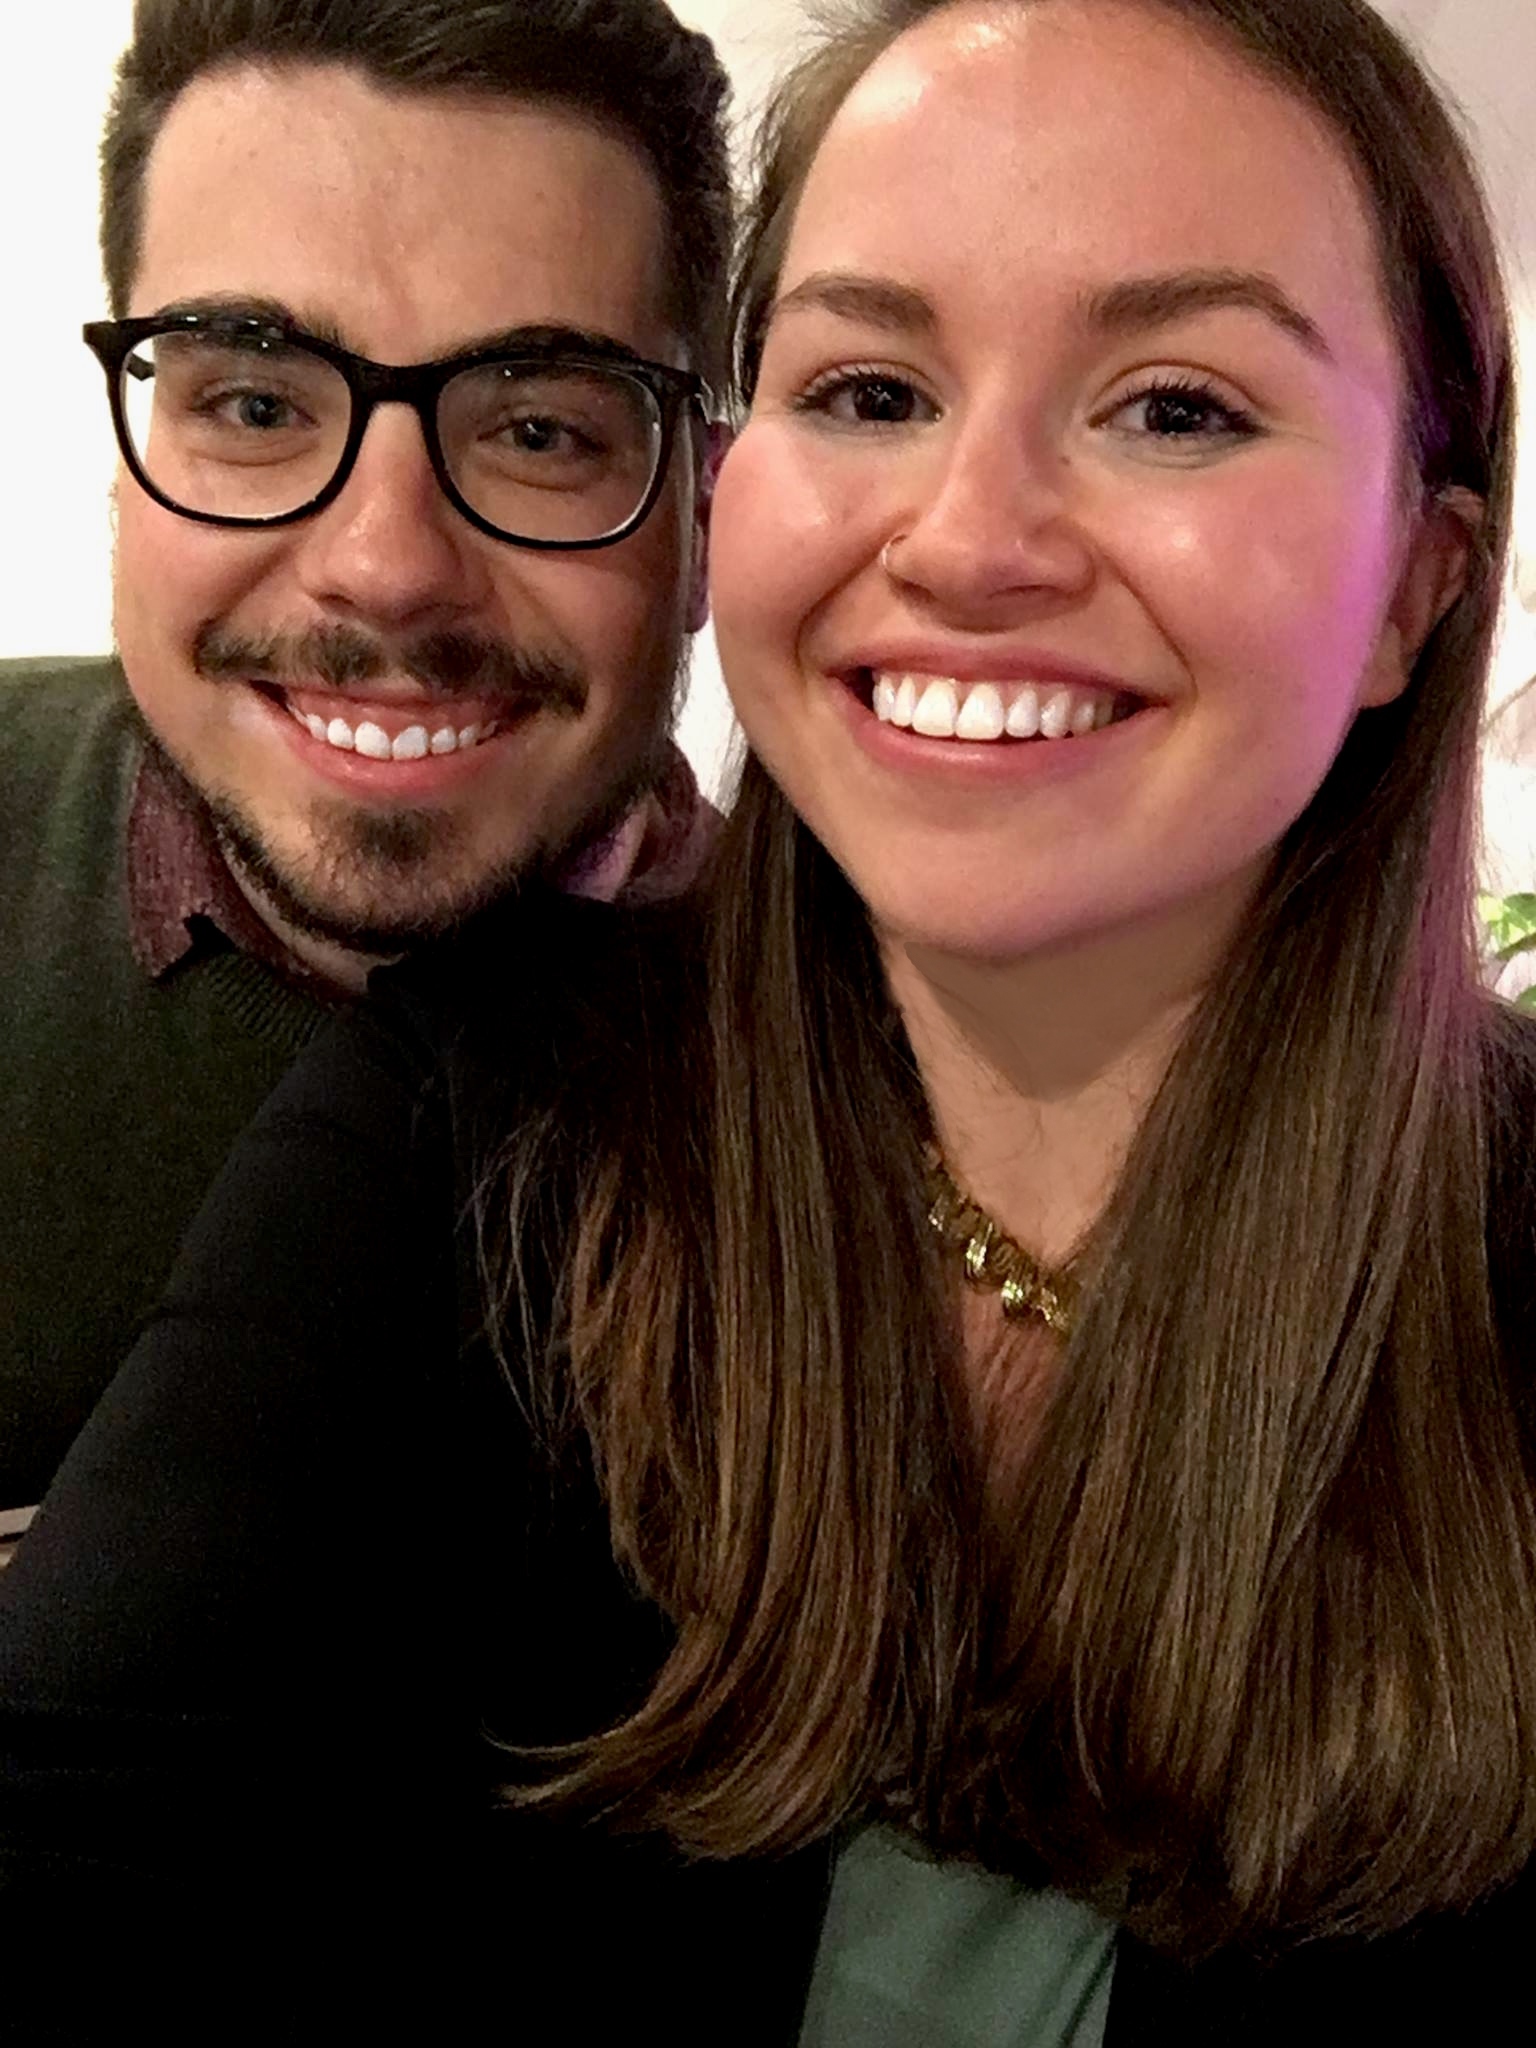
(341, 658)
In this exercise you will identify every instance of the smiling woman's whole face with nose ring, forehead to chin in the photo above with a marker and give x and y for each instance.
(1070, 529)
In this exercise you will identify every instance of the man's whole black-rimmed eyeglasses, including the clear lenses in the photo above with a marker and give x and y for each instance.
(245, 423)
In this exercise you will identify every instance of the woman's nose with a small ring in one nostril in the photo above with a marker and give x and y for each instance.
(998, 519)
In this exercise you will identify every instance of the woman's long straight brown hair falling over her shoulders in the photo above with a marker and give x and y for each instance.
(1258, 1654)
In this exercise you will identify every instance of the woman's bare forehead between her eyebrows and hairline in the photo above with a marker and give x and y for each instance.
(1086, 140)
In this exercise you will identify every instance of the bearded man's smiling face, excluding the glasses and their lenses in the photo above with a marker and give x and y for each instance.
(407, 228)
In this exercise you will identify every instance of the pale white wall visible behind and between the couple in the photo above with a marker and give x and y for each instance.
(54, 527)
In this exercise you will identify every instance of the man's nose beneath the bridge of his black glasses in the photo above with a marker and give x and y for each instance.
(392, 548)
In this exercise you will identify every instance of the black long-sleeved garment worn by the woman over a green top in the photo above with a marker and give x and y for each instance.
(304, 1574)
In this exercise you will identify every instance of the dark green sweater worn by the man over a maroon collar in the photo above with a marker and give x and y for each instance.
(122, 1095)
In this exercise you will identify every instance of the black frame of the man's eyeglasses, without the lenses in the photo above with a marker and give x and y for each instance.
(382, 384)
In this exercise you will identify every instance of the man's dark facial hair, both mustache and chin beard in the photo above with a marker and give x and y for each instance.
(366, 863)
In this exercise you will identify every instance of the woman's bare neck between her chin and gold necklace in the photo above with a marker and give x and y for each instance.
(1039, 1070)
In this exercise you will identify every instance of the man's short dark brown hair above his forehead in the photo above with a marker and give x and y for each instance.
(624, 62)
